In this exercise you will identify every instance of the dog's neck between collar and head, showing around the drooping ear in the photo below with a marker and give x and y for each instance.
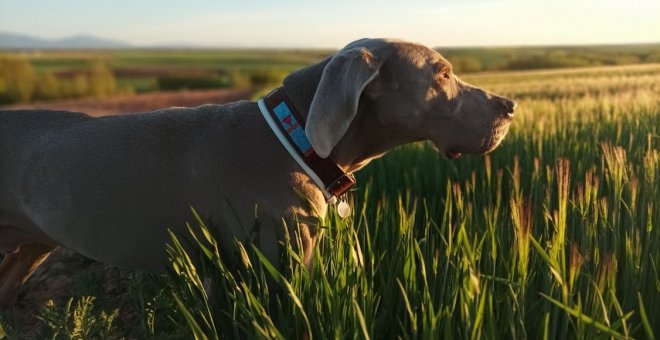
(366, 139)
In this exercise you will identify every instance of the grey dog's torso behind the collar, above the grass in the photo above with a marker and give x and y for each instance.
(110, 187)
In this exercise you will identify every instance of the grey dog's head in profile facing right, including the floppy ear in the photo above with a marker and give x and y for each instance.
(410, 87)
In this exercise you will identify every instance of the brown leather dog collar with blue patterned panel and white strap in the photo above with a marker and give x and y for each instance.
(289, 127)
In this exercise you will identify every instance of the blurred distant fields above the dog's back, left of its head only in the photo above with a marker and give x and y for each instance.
(52, 75)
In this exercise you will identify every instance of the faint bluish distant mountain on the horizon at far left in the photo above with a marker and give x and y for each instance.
(12, 41)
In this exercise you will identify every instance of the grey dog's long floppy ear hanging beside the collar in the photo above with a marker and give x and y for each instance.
(336, 99)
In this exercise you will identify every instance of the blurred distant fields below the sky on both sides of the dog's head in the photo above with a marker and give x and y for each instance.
(57, 74)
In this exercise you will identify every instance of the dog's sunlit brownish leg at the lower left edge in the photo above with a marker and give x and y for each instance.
(16, 268)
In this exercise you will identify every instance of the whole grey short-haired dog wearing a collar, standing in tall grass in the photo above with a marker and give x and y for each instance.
(110, 187)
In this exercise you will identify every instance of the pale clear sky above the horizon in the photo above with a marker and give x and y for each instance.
(333, 24)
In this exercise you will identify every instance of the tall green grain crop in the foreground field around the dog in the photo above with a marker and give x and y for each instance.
(554, 235)
